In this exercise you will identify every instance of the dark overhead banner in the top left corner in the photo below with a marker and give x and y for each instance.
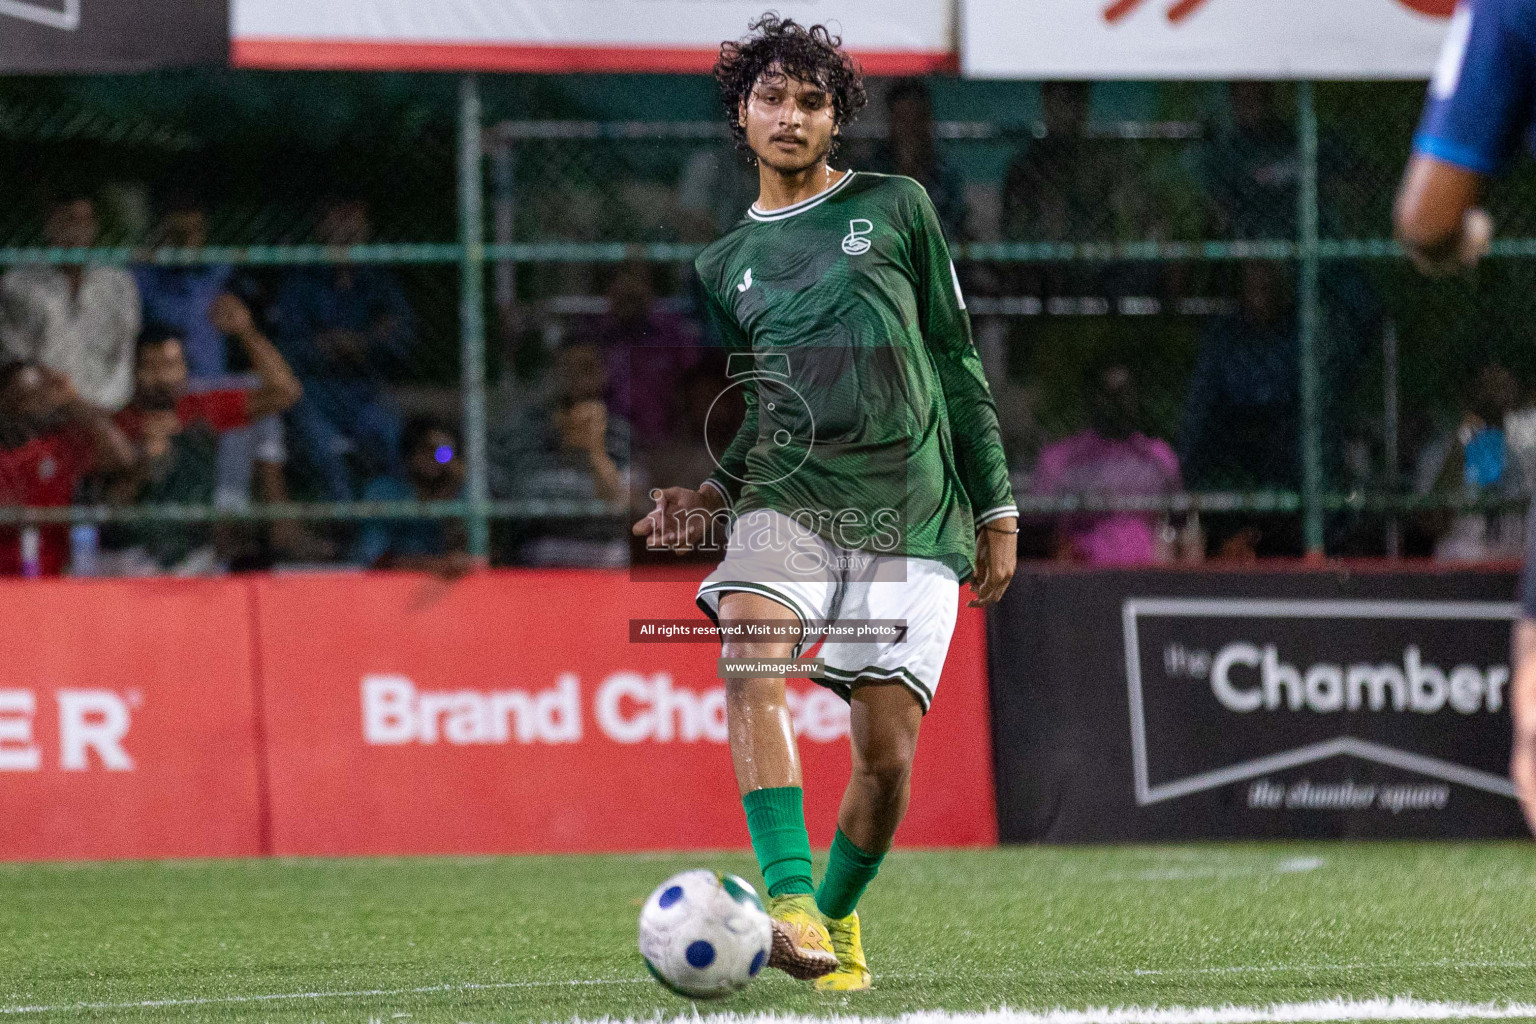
(110, 36)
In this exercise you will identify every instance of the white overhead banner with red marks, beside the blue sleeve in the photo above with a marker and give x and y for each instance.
(1202, 39)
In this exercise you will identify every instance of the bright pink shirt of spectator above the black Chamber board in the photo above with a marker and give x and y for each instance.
(1090, 464)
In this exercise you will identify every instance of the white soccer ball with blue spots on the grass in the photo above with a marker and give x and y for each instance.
(704, 934)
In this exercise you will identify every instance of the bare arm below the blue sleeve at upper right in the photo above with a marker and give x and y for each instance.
(1437, 216)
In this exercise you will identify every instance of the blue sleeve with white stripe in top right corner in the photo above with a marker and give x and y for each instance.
(1480, 101)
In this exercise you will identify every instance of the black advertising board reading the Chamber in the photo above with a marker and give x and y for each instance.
(1245, 705)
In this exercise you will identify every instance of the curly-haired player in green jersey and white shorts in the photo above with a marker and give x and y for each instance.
(866, 484)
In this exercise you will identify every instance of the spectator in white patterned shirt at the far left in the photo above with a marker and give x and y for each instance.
(81, 320)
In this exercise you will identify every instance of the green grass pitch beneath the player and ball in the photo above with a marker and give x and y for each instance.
(552, 939)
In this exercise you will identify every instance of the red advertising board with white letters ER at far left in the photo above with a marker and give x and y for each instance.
(127, 721)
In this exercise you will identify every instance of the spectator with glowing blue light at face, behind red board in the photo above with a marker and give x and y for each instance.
(434, 474)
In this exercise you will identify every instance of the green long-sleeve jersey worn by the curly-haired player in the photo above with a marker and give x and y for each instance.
(869, 417)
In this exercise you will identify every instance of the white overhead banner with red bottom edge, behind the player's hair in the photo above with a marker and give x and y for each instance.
(561, 36)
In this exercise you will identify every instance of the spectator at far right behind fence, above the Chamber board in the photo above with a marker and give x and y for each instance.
(1474, 460)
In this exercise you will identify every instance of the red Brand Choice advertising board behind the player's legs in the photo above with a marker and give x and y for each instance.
(511, 713)
